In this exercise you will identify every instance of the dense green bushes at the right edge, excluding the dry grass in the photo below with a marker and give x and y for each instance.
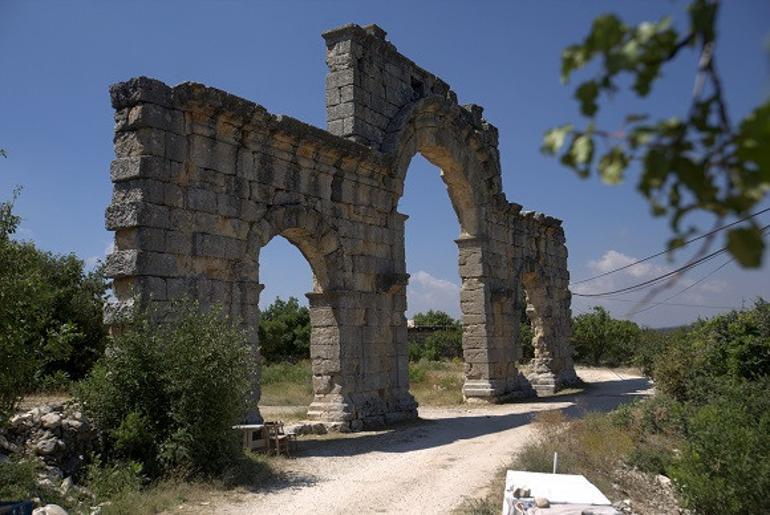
(718, 375)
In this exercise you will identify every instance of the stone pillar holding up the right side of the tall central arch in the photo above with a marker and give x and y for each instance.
(488, 332)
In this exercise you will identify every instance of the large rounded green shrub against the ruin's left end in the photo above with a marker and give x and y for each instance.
(166, 395)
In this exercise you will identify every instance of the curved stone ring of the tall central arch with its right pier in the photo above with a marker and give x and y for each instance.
(455, 139)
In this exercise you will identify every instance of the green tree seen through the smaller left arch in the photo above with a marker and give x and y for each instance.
(284, 331)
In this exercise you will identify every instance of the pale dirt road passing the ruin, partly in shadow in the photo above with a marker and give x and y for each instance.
(425, 467)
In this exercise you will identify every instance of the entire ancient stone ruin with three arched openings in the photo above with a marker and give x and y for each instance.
(203, 180)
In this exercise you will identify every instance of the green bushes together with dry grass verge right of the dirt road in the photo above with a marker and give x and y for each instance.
(707, 427)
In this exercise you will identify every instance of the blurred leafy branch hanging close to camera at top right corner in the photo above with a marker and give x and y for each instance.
(702, 162)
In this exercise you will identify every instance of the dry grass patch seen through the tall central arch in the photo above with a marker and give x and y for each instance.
(437, 383)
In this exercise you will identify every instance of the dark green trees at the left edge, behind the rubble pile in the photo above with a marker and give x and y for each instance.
(51, 328)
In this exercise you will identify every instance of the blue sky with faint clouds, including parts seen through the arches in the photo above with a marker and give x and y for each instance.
(59, 58)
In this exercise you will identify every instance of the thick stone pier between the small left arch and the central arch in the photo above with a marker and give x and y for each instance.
(359, 381)
